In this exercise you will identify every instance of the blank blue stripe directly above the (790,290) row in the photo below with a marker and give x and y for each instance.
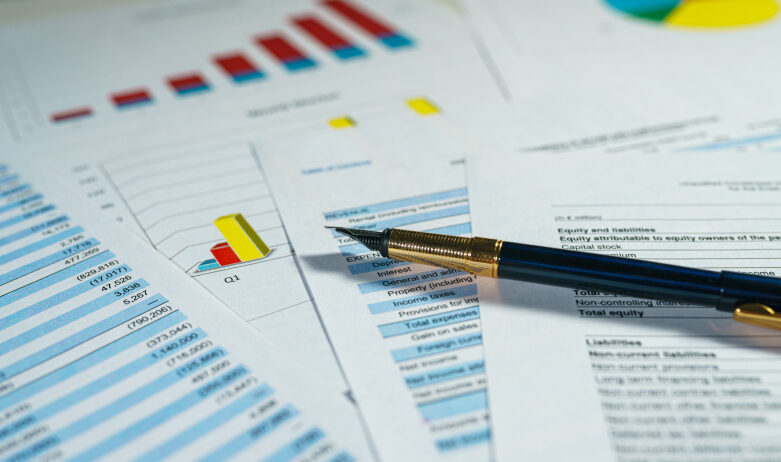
(79, 337)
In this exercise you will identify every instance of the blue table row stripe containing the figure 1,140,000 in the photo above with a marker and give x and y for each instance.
(94, 387)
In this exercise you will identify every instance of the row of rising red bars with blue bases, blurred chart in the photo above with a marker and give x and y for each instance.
(291, 57)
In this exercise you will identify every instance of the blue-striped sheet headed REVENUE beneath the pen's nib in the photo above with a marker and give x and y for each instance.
(408, 336)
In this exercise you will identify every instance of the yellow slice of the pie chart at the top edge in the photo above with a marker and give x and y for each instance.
(721, 13)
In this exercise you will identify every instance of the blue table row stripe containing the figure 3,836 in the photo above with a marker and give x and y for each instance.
(69, 317)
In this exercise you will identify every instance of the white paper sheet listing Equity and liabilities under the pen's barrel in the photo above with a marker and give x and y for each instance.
(578, 374)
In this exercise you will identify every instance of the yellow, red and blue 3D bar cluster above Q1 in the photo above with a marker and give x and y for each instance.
(242, 243)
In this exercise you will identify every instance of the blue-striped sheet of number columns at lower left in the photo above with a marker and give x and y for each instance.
(106, 345)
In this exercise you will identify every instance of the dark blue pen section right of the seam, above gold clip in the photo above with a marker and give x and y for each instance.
(740, 288)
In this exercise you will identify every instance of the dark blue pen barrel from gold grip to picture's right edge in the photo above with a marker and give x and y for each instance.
(624, 276)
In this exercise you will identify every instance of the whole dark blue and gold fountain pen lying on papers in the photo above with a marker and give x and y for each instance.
(751, 299)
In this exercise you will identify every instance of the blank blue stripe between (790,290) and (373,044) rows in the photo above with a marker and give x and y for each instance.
(93, 358)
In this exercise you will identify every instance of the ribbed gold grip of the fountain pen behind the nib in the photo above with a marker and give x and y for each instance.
(475, 255)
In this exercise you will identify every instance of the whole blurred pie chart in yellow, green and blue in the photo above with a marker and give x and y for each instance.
(699, 13)
